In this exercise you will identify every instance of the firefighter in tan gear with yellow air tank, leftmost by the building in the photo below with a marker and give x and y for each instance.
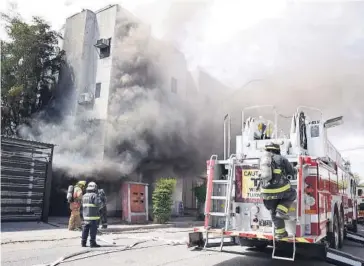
(75, 200)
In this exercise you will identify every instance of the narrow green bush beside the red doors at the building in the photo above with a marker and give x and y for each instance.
(162, 199)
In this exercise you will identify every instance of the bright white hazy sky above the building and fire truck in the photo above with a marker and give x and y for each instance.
(240, 40)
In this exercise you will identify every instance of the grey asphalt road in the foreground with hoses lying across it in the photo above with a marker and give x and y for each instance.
(155, 248)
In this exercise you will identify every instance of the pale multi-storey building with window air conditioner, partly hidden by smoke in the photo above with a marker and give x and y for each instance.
(109, 50)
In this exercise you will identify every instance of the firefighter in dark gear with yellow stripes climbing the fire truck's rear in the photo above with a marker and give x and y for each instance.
(277, 193)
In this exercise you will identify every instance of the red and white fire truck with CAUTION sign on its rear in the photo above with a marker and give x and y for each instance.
(325, 211)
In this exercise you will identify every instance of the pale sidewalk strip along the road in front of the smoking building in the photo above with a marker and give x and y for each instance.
(57, 229)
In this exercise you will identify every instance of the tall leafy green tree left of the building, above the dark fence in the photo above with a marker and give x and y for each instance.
(30, 63)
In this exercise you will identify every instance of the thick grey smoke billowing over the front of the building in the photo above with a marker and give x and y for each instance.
(147, 126)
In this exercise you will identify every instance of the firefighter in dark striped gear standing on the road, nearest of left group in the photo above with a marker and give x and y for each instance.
(91, 215)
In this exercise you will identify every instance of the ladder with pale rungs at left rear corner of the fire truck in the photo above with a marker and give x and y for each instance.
(227, 198)
